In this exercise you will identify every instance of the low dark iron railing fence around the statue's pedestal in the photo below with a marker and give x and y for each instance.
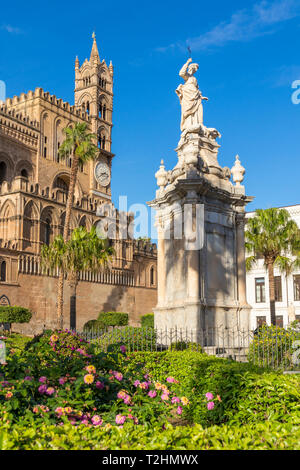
(275, 348)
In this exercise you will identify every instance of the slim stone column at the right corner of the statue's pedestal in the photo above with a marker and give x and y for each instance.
(241, 270)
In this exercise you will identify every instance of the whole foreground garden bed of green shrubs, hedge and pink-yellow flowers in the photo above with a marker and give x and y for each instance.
(61, 379)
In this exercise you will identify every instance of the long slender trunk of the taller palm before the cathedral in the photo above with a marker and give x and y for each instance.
(60, 293)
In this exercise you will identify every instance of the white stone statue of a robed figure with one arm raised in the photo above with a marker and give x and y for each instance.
(190, 97)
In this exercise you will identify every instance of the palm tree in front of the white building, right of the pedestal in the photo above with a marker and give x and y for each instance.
(272, 235)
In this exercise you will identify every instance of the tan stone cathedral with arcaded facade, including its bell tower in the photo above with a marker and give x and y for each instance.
(33, 192)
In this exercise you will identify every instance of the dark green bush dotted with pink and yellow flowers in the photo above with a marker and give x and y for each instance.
(59, 378)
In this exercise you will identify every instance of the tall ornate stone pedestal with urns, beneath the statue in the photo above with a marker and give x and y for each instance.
(201, 257)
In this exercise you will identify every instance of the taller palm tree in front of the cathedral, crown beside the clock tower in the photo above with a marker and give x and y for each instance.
(79, 144)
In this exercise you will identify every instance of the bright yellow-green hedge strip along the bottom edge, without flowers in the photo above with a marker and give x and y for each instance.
(263, 436)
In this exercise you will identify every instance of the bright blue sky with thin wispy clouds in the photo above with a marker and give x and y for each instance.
(249, 56)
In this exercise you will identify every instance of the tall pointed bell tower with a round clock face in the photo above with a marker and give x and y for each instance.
(94, 95)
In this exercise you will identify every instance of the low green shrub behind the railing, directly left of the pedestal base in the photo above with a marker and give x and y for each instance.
(135, 339)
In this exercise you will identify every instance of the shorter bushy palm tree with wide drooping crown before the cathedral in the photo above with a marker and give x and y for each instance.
(83, 251)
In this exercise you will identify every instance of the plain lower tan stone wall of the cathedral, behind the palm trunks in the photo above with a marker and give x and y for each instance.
(38, 293)
